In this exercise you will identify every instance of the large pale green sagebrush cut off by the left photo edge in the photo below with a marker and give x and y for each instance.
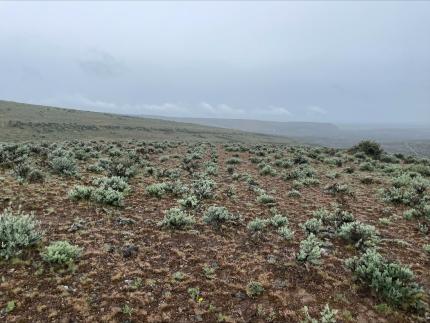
(18, 230)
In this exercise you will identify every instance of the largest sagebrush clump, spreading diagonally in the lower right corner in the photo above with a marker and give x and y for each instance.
(393, 282)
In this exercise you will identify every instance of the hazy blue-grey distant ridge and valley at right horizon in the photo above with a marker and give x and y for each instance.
(414, 140)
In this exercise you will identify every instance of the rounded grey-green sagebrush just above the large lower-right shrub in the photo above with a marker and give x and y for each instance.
(362, 235)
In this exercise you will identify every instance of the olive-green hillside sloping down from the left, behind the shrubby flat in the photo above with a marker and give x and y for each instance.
(23, 122)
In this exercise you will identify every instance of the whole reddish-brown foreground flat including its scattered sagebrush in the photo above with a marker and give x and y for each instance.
(196, 232)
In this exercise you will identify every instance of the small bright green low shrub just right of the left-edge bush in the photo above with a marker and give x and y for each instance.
(61, 252)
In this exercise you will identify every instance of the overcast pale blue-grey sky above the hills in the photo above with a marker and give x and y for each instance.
(351, 61)
